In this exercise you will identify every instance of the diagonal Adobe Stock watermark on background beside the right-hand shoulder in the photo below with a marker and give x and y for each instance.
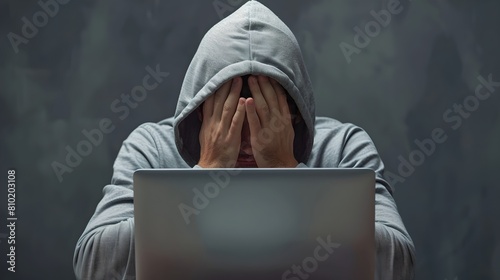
(455, 117)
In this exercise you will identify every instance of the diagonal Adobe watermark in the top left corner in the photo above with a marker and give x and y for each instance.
(40, 19)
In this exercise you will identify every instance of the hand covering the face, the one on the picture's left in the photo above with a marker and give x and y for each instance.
(220, 134)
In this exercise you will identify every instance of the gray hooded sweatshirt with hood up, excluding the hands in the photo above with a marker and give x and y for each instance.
(252, 40)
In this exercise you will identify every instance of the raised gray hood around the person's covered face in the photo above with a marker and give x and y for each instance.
(252, 40)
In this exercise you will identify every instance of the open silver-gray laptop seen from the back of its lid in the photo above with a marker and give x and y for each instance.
(299, 223)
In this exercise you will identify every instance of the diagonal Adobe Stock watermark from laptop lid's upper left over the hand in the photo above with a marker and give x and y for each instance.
(221, 179)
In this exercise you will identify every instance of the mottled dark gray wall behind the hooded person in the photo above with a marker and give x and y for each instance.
(427, 59)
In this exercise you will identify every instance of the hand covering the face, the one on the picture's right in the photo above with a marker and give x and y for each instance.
(270, 124)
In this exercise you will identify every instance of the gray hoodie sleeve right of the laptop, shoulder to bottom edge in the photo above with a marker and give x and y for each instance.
(394, 247)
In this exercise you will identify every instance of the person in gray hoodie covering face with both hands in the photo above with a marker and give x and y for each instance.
(246, 101)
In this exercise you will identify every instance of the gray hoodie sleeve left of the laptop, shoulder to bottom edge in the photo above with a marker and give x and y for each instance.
(106, 248)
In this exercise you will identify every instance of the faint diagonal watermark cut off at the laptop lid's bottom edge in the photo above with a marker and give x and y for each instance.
(310, 264)
